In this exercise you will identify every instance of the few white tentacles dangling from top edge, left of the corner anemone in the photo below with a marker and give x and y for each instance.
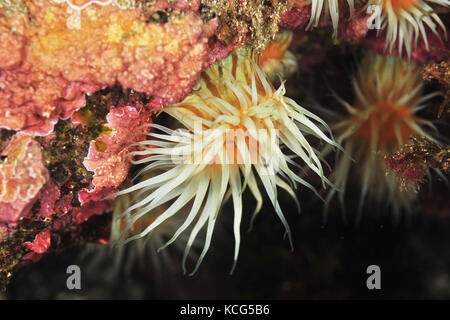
(333, 8)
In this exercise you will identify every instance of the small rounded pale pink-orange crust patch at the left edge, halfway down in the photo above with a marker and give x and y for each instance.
(22, 175)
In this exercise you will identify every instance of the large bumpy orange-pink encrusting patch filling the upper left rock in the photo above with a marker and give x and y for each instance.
(47, 65)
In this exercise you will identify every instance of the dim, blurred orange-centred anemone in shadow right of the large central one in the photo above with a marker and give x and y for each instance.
(388, 94)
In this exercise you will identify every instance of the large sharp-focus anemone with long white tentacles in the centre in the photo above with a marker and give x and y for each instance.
(238, 130)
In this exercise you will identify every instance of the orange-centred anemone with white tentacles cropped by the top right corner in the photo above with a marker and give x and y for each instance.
(404, 20)
